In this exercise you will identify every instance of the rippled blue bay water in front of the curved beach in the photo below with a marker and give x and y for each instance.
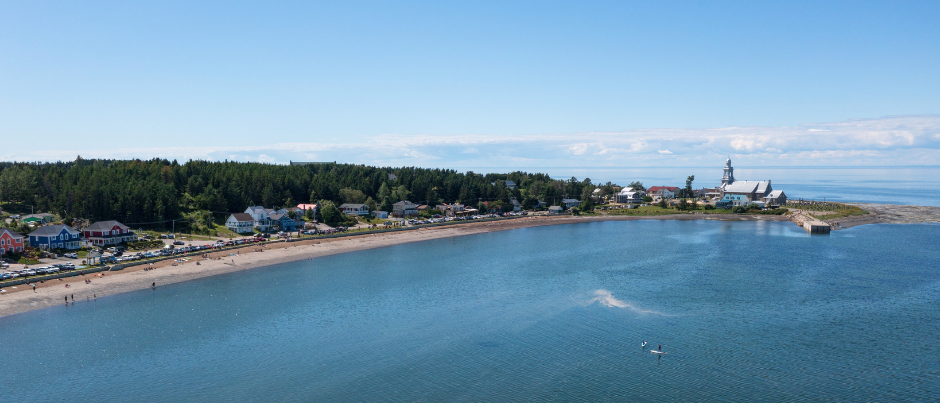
(748, 311)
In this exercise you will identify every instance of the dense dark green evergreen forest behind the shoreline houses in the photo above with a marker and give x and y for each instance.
(153, 193)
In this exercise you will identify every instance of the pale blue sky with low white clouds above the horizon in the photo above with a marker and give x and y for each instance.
(473, 83)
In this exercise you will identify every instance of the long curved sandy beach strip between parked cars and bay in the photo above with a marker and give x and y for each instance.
(51, 293)
